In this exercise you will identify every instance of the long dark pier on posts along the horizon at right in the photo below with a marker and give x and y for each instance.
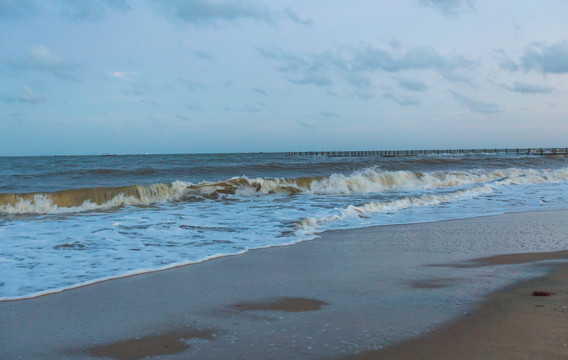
(396, 153)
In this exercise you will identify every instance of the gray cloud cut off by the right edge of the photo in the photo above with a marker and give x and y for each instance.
(546, 59)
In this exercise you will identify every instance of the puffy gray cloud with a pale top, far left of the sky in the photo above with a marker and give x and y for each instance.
(40, 58)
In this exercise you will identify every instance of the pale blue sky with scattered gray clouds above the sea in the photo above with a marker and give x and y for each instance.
(215, 76)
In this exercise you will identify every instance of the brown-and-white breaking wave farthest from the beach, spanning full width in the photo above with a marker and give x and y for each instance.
(369, 180)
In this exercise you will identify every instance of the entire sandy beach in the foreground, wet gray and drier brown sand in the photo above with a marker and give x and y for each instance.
(428, 291)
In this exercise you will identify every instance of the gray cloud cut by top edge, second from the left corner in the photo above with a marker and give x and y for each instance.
(91, 10)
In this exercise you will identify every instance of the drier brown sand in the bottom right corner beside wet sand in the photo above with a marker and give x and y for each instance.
(511, 324)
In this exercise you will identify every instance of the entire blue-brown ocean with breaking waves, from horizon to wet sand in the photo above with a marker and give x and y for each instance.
(67, 221)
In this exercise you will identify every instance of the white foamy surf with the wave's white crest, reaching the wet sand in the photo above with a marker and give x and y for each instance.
(42, 254)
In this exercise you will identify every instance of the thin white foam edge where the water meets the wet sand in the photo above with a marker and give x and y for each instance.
(316, 236)
